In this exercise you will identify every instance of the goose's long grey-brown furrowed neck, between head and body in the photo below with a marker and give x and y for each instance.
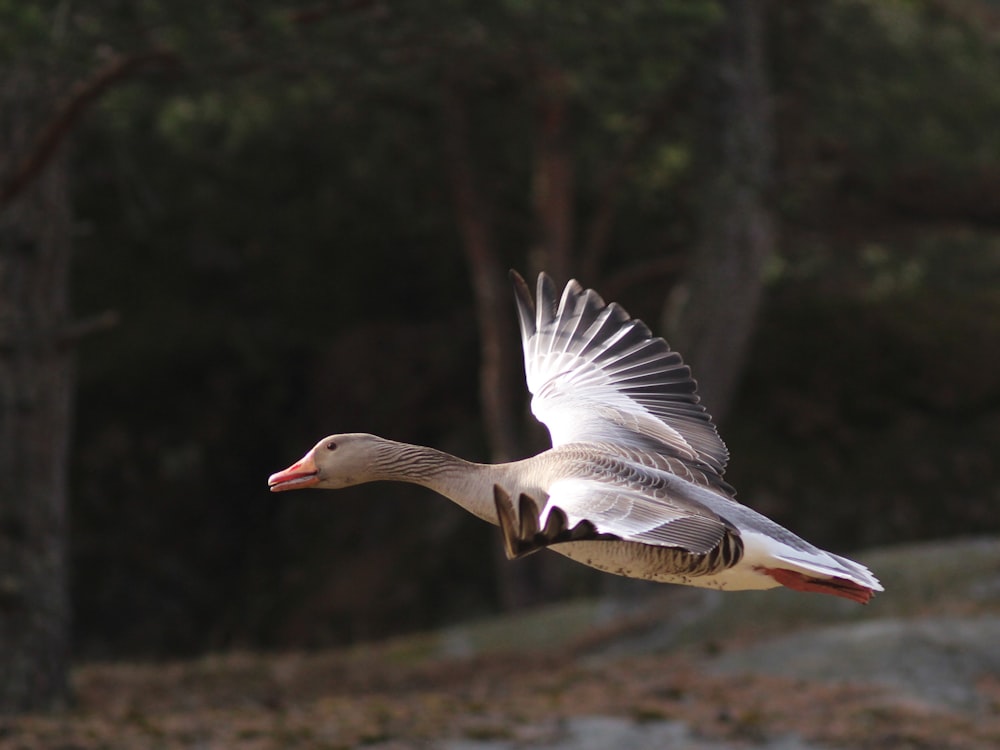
(467, 484)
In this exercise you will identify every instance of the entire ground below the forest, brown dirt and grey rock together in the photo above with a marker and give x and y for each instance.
(658, 667)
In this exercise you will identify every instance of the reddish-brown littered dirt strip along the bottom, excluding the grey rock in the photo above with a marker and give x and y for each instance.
(382, 695)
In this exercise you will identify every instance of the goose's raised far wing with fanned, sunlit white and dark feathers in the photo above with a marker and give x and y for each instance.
(596, 374)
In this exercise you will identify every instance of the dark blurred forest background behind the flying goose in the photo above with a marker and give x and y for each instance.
(290, 220)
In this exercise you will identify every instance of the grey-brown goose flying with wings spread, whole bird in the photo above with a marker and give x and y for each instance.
(633, 483)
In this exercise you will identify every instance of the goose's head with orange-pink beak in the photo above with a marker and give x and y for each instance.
(334, 462)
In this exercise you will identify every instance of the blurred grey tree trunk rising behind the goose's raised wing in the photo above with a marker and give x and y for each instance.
(712, 313)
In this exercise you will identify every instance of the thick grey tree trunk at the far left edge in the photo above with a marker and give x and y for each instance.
(36, 376)
